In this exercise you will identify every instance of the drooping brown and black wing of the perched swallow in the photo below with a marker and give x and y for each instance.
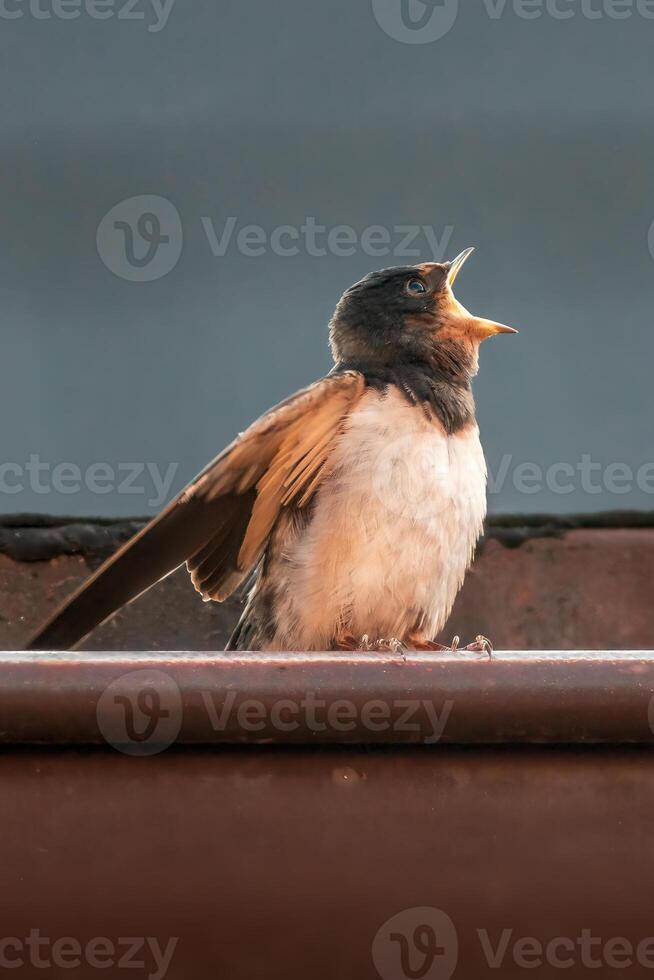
(220, 523)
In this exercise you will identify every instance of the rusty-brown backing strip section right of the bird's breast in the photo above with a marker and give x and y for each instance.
(588, 589)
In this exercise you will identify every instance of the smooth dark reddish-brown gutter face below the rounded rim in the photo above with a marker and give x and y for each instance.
(287, 864)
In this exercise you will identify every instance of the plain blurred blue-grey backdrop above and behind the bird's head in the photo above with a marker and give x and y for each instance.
(529, 138)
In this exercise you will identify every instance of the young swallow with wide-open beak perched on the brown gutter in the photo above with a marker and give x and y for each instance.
(351, 511)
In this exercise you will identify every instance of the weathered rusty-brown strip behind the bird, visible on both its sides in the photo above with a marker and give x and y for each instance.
(579, 589)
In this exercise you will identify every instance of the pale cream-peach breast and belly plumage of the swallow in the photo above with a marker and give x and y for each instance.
(393, 532)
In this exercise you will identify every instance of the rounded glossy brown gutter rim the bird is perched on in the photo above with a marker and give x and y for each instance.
(144, 703)
